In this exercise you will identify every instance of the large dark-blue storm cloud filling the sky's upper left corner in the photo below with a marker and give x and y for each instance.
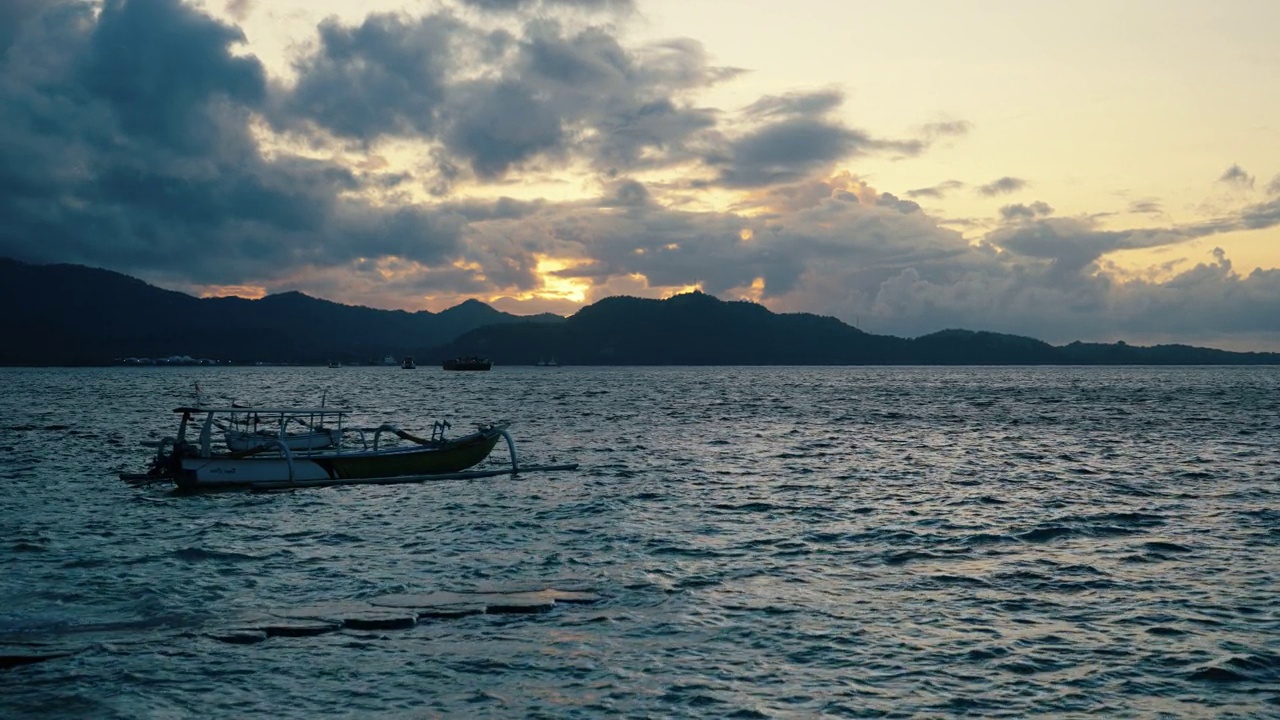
(125, 143)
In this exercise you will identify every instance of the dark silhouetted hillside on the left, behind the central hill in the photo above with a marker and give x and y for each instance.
(75, 316)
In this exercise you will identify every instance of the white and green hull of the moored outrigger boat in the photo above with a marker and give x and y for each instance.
(231, 472)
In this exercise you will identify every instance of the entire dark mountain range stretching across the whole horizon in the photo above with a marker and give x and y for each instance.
(77, 316)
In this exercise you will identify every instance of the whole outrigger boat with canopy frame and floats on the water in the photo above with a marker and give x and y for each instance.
(323, 455)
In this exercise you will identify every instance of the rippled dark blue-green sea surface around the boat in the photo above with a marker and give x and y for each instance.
(767, 544)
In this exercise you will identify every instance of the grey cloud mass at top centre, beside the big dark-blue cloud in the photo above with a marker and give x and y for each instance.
(548, 94)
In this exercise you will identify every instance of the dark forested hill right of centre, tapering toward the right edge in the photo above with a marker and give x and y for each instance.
(700, 330)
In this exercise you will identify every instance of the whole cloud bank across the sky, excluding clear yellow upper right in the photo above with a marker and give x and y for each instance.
(220, 175)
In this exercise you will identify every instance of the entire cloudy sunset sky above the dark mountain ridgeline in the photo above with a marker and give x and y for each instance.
(1072, 171)
